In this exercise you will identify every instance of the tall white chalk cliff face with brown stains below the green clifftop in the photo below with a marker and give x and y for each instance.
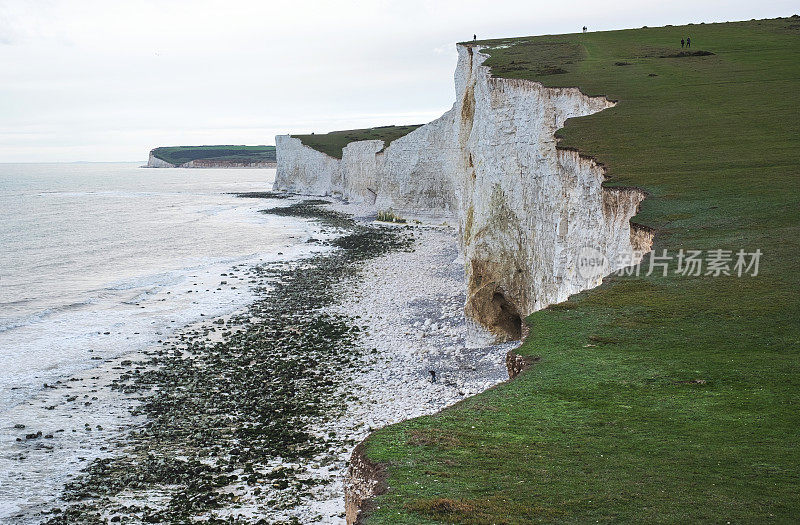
(529, 214)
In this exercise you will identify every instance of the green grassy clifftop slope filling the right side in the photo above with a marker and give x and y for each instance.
(621, 430)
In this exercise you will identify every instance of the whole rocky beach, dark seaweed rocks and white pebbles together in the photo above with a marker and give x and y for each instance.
(252, 418)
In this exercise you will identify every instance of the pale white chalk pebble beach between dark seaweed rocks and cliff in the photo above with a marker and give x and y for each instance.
(411, 304)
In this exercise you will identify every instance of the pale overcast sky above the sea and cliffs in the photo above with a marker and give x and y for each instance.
(108, 80)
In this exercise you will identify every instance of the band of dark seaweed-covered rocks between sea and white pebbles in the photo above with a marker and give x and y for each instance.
(222, 416)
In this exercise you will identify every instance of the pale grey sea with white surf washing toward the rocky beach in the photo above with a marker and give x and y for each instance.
(103, 260)
